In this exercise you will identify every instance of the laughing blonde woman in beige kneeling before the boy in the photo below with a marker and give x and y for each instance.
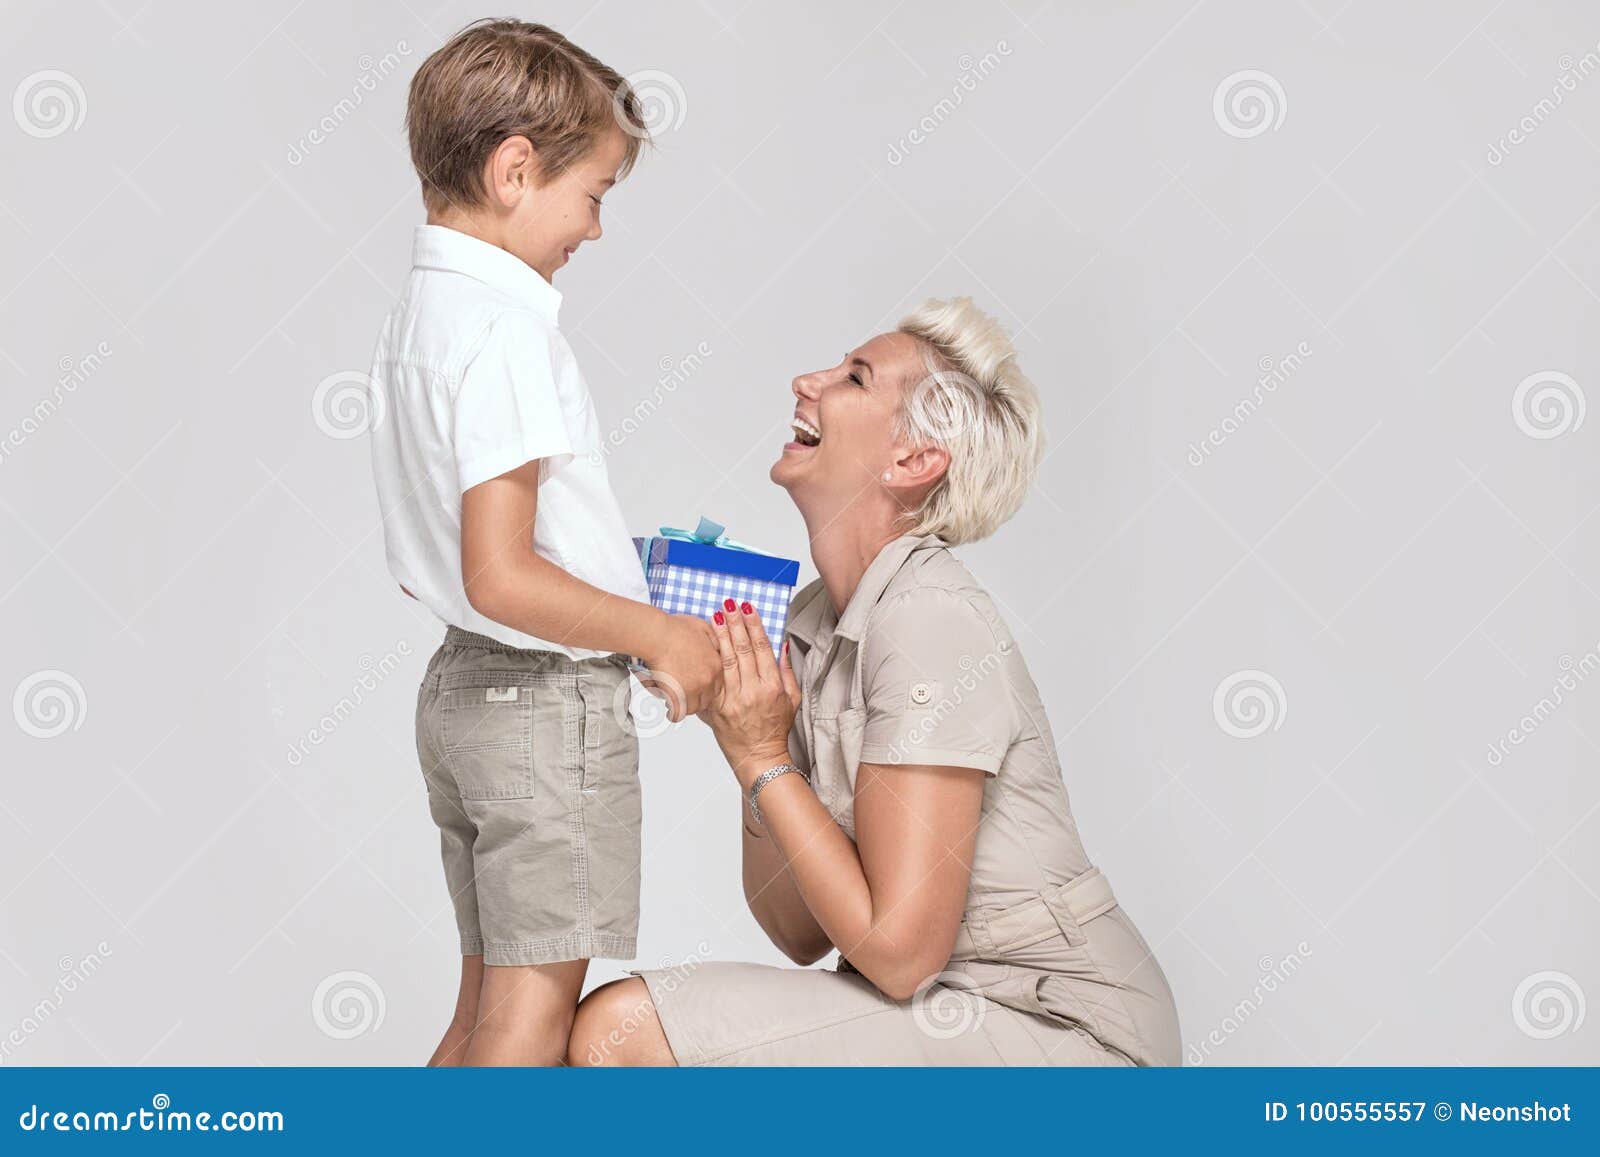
(906, 801)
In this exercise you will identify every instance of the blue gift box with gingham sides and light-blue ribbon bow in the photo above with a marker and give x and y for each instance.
(692, 572)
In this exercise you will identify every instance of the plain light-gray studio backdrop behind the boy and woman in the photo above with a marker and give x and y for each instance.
(1385, 537)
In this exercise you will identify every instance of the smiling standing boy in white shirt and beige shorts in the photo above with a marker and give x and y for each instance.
(500, 518)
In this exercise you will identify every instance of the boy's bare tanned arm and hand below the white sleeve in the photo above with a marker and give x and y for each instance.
(510, 583)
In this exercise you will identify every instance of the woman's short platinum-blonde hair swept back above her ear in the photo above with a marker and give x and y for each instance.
(975, 402)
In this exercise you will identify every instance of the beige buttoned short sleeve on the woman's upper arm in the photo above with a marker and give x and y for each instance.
(937, 684)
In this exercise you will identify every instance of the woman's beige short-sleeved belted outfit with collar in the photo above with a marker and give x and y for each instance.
(1047, 967)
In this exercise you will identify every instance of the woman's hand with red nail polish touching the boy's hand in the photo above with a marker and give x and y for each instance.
(759, 699)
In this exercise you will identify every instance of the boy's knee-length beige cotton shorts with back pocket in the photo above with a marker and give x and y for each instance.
(532, 769)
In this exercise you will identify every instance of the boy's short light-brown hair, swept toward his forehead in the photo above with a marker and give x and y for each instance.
(503, 78)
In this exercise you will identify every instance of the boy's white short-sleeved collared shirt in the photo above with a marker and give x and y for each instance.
(474, 380)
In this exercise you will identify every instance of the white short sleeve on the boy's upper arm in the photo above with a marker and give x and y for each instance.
(508, 410)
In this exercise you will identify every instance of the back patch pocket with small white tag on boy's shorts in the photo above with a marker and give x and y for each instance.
(487, 740)
